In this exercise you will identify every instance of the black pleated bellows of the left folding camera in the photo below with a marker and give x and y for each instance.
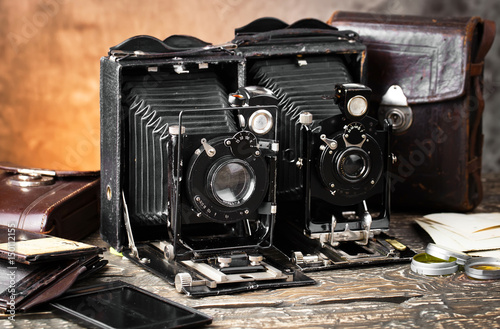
(153, 107)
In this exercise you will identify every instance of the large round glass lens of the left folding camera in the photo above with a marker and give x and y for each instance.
(232, 183)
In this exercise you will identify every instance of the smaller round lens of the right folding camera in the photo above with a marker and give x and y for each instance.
(353, 164)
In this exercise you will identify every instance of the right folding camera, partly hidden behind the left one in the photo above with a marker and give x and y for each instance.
(333, 182)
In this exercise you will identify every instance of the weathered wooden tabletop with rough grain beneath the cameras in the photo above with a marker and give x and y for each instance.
(388, 296)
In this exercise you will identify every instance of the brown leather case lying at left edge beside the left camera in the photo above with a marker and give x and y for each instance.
(66, 205)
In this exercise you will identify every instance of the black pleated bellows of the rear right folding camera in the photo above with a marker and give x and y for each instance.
(299, 89)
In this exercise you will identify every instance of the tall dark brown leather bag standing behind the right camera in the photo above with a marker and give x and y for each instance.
(427, 76)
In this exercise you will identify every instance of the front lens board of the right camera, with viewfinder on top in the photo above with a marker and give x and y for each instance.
(346, 162)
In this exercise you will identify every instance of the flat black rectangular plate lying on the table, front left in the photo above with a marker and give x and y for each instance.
(122, 305)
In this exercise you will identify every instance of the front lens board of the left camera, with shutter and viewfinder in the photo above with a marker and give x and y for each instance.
(226, 196)
